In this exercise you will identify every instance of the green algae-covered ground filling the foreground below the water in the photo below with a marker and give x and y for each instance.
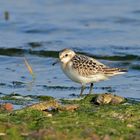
(88, 122)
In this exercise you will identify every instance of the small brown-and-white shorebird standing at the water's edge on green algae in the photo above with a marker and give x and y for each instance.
(84, 70)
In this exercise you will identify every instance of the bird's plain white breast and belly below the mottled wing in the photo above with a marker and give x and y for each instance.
(73, 75)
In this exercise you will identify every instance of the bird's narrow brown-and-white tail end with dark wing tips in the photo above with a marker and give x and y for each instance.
(114, 71)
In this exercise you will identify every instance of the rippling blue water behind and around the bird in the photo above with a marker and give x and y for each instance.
(107, 30)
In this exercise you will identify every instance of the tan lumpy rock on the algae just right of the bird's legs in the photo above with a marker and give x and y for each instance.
(108, 98)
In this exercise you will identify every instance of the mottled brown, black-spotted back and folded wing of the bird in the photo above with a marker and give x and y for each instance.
(87, 66)
